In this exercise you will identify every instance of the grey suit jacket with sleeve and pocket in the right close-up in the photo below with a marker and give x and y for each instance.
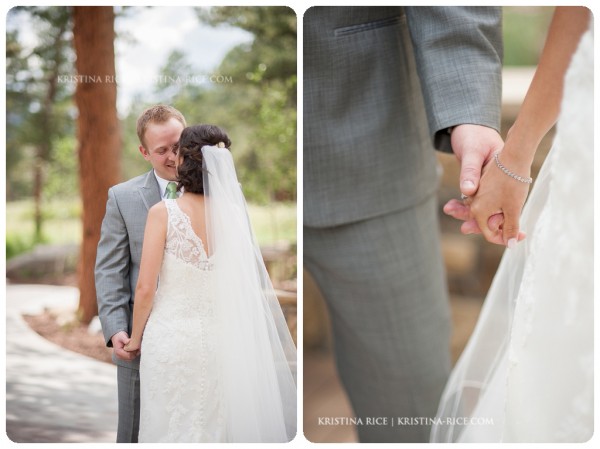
(381, 84)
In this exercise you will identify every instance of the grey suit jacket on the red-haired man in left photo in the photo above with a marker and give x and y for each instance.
(119, 254)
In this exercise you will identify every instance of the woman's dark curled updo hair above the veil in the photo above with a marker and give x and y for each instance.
(192, 139)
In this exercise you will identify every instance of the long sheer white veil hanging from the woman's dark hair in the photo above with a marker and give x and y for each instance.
(258, 355)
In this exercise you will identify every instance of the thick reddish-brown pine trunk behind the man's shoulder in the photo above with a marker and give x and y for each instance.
(98, 135)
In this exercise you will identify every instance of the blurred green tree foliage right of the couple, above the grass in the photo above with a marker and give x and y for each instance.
(263, 99)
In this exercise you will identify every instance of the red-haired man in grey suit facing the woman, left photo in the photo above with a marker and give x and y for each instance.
(120, 250)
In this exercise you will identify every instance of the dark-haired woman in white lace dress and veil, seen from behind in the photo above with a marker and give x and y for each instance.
(217, 359)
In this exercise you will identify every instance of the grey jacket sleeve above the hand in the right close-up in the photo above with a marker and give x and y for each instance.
(458, 51)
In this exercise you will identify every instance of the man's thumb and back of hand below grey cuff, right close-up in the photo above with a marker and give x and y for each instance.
(474, 146)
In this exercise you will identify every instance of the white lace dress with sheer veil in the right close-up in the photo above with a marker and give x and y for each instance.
(526, 375)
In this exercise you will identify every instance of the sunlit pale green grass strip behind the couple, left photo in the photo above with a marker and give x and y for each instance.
(273, 224)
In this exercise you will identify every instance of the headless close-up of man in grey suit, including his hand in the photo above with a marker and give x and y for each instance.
(383, 87)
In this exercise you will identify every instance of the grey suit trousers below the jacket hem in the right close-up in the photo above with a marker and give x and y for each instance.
(384, 284)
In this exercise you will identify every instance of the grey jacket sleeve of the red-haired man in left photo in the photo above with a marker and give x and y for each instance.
(113, 291)
